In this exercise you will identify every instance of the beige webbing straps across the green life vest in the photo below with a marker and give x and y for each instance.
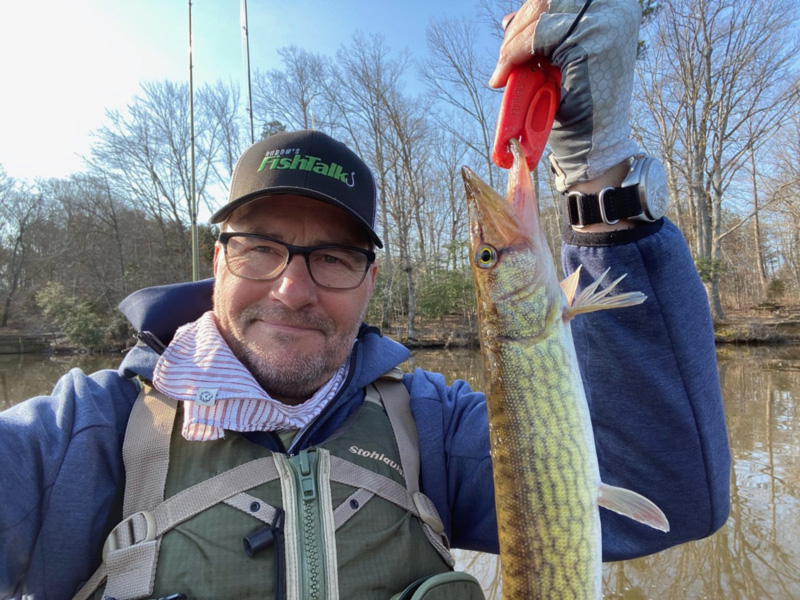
(131, 552)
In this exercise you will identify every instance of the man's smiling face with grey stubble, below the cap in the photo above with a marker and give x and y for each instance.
(290, 333)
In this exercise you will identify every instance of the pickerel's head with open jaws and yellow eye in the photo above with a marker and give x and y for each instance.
(516, 284)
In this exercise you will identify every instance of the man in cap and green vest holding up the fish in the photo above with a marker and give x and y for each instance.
(259, 457)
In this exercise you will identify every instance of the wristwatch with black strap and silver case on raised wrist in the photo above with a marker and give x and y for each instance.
(643, 196)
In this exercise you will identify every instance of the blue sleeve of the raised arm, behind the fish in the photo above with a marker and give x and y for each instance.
(651, 379)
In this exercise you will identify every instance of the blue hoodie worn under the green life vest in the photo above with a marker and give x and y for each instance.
(649, 371)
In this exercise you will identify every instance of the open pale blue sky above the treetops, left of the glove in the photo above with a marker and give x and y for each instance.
(65, 62)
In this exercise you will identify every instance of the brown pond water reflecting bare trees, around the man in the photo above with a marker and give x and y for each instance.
(755, 555)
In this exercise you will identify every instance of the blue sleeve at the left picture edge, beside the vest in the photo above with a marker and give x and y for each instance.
(59, 478)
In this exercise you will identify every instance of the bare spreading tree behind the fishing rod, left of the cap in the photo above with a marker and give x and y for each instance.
(144, 152)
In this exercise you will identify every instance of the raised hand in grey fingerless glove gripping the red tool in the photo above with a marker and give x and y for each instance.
(591, 132)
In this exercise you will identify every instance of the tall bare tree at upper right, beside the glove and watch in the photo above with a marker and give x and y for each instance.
(719, 74)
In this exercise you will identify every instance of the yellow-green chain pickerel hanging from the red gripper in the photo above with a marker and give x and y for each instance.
(546, 478)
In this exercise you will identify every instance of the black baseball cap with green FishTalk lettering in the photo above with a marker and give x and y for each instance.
(305, 163)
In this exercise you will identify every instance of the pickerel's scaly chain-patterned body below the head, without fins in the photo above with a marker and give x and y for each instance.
(550, 470)
